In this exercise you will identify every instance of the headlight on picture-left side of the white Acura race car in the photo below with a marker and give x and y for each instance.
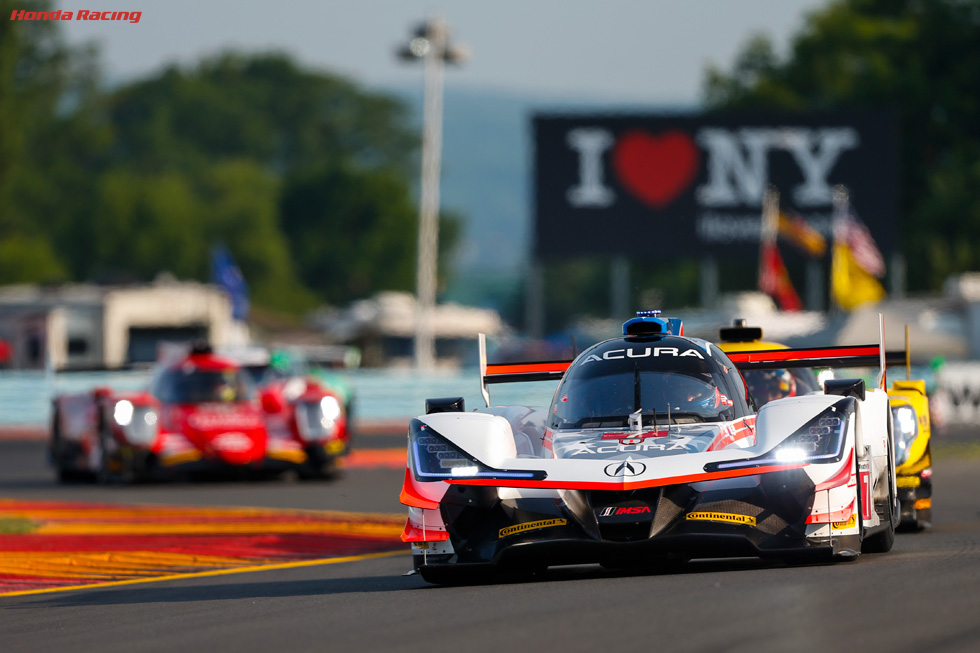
(434, 458)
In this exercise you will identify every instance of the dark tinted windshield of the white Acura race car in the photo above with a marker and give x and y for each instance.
(604, 392)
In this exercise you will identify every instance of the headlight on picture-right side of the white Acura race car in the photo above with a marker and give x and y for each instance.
(820, 440)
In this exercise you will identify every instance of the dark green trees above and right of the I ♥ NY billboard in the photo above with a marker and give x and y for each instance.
(919, 57)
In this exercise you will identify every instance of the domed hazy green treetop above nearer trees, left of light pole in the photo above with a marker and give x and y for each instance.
(263, 107)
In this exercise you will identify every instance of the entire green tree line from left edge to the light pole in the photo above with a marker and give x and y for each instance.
(303, 175)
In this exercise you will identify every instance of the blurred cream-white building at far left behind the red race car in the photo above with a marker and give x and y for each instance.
(84, 326)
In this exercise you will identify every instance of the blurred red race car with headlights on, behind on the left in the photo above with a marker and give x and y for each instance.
(202, 414)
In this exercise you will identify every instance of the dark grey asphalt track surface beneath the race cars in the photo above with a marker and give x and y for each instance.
(924, 595)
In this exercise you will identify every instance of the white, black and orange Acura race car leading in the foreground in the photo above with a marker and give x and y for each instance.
(651, 453)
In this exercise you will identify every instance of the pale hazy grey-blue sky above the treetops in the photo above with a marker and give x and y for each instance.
(629, 50)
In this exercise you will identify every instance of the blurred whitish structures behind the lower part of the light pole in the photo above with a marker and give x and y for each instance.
(383, 328)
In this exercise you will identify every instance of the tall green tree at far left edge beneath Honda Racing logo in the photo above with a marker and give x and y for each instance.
(48, 96)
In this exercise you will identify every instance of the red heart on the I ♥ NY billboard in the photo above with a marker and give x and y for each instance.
(656, 169)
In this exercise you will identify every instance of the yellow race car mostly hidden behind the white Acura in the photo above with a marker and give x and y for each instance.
(910, 418)
